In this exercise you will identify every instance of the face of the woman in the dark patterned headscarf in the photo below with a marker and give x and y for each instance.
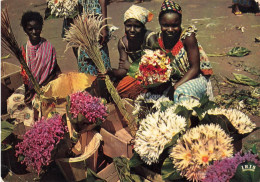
(170, 25)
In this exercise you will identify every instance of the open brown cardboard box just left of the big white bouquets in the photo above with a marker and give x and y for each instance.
(118, 144)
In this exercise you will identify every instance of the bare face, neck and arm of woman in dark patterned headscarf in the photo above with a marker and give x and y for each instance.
(171, 30)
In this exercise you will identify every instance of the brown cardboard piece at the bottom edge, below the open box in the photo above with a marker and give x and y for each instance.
(109, 173)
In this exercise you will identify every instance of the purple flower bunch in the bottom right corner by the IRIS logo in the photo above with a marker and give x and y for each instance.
(224, 170)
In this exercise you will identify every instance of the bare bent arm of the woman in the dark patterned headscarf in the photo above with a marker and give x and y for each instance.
(191, 46)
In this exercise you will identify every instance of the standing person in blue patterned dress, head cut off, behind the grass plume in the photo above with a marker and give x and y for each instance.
(85, 64)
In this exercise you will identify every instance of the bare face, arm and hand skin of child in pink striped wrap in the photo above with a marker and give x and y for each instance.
(33, 30)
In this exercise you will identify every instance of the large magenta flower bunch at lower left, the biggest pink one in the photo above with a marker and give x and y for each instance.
(36, 148)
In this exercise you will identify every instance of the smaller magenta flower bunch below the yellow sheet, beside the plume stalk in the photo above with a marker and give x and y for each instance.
(89, 106)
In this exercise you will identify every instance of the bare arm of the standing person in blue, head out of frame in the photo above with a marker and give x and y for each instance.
(104, 31)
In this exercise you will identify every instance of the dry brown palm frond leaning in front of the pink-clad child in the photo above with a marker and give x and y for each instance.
(11, 45)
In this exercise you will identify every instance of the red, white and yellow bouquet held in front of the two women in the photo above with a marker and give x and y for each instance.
(154, 68)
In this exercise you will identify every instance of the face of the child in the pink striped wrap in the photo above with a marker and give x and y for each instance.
(33, 30)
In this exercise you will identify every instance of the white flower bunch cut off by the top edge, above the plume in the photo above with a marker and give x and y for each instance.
(62, 8)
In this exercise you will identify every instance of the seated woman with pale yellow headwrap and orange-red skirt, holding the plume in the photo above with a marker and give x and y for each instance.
(136, 38)
